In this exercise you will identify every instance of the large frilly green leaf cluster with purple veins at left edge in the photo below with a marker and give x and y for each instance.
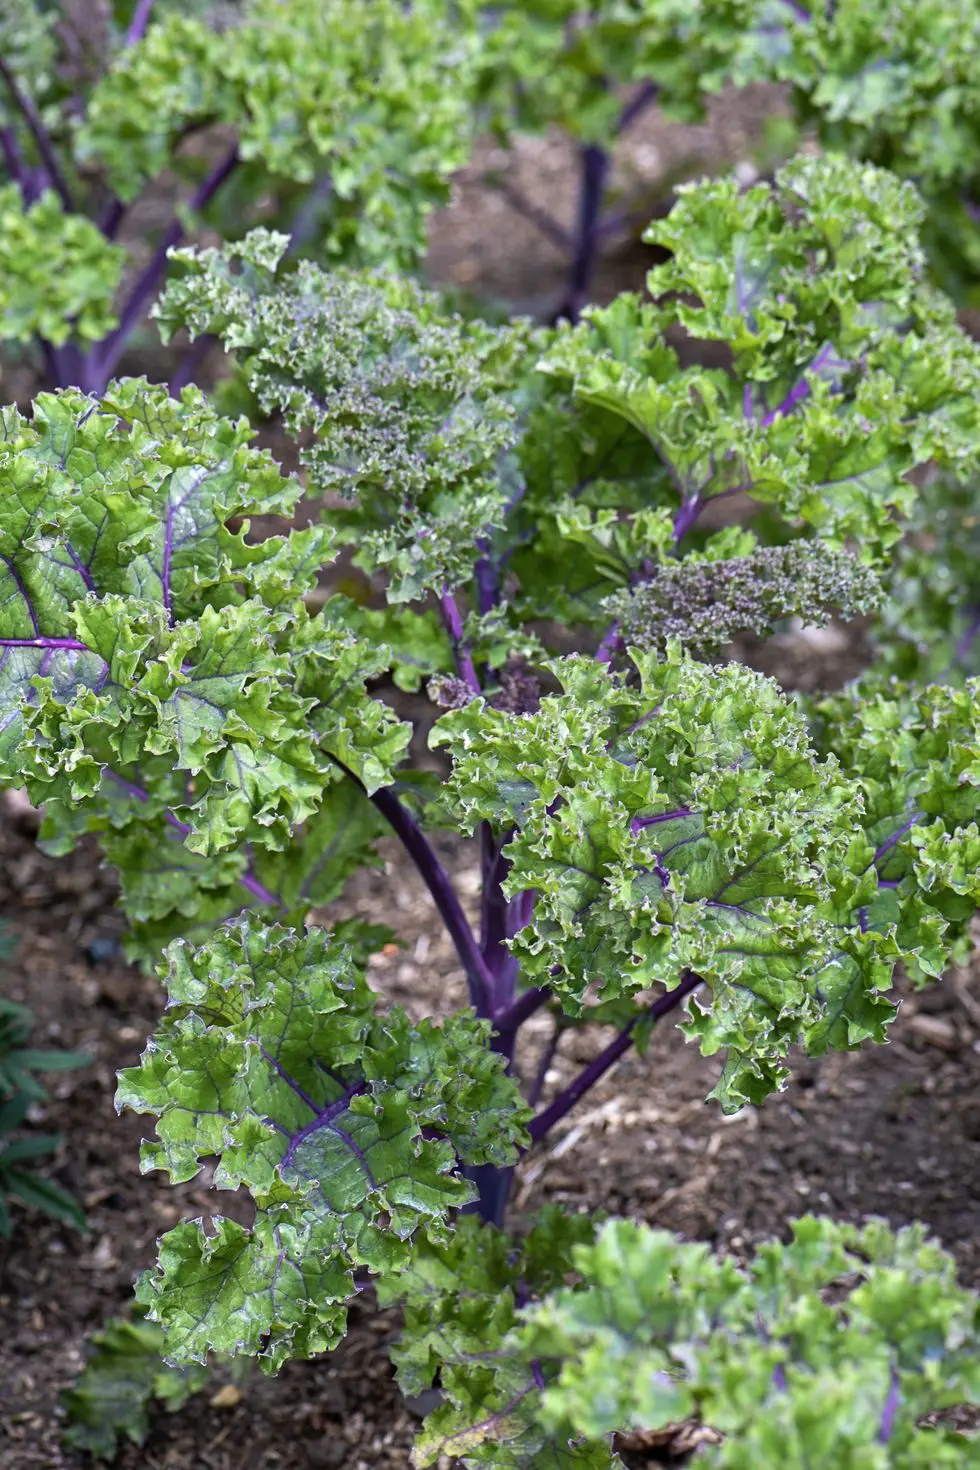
(164, 684)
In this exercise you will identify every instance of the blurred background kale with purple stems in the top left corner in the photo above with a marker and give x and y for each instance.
(345, 121)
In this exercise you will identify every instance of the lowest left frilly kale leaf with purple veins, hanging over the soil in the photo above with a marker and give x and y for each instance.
(346, 1127)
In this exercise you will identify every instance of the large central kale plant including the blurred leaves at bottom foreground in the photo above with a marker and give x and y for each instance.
(662, 833)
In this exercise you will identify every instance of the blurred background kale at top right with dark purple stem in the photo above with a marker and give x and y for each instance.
(893, 83)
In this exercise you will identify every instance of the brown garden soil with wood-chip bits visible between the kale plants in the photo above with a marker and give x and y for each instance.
(891, 1131)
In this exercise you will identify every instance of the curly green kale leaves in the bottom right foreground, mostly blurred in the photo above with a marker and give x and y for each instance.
(832, 1349)
